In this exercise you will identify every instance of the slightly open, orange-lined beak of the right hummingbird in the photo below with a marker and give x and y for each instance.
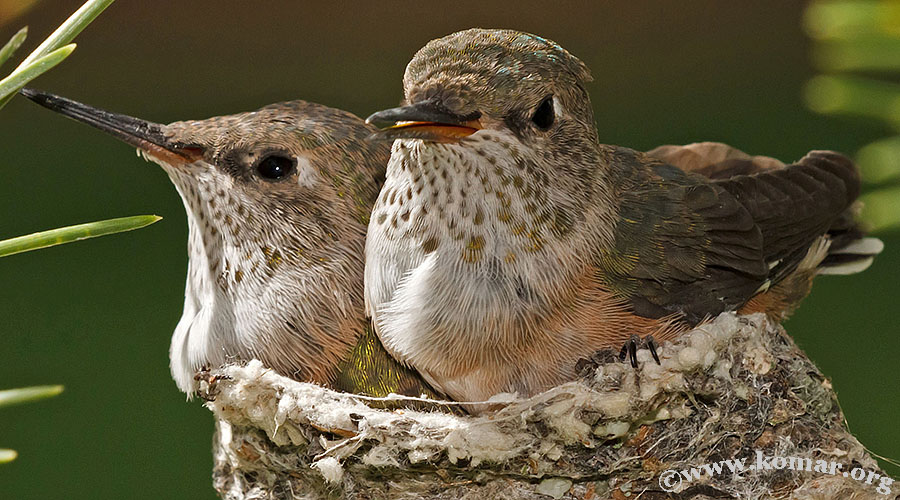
(427, 120)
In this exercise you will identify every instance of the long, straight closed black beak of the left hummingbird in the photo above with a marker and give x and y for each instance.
(144, 135)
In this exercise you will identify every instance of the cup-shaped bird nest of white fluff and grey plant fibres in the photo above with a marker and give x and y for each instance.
(731, 389)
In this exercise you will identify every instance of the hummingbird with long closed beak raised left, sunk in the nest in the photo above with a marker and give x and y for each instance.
(277, 204)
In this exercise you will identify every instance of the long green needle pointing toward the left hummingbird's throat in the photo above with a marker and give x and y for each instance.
(74, 233)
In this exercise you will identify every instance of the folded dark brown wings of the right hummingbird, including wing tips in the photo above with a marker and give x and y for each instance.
(704, 247)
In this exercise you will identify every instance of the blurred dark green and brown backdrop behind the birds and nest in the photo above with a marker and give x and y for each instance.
(96, 316)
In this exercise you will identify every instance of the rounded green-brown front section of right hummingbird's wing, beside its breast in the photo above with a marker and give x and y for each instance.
(683, 245)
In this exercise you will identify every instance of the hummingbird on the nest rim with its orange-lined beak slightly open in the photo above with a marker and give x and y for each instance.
(508, 243)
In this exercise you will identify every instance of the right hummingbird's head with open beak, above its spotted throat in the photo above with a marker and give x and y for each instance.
(500, 80)
